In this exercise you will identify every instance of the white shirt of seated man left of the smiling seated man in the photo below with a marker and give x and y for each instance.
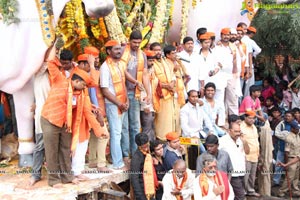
(192, 119)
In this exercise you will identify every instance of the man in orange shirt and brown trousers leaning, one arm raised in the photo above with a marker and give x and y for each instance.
(62, 113)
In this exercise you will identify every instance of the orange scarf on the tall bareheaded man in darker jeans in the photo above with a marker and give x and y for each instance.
(140, 67)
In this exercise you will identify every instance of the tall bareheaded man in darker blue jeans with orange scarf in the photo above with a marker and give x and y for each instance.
(136, 66)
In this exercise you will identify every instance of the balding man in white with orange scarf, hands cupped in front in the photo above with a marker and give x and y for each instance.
(178, 182)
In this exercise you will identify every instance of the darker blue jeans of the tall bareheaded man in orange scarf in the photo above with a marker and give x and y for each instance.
(131, 126)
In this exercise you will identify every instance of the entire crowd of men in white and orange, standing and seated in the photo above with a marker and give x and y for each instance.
(204, 89)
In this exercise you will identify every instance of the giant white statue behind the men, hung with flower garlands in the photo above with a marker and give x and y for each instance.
(22, 51)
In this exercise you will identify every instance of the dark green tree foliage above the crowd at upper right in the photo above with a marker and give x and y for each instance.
(278, 33)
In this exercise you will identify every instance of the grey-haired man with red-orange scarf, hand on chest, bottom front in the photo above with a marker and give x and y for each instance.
(212, 184)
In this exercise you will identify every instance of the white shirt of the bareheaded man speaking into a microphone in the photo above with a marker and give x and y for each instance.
(192, 68)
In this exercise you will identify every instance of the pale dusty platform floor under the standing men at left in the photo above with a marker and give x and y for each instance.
(14, 185)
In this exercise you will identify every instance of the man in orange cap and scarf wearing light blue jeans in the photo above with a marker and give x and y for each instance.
(112, 83)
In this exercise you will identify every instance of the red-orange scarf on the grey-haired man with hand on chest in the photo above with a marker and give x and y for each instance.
(220, 179)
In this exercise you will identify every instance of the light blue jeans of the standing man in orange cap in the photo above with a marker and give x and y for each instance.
(115, 125)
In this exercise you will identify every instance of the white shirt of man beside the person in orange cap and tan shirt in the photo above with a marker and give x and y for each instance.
(236, 153)
